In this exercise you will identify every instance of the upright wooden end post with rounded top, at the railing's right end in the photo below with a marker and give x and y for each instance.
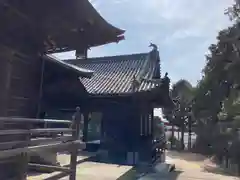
(74, 149)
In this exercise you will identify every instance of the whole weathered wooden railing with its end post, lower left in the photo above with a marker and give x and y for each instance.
(19, 139)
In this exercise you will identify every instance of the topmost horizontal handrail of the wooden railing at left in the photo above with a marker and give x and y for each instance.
(31, 120)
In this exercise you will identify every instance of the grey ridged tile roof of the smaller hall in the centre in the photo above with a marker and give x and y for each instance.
(115, 74)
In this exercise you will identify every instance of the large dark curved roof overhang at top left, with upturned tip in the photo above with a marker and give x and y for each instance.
(60, 26)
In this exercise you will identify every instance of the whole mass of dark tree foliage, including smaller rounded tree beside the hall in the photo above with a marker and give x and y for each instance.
(216, 98)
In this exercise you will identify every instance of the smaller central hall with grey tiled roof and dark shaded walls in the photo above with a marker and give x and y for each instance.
(123, 92)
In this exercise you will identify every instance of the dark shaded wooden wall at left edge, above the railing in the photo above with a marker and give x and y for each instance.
(19, 83)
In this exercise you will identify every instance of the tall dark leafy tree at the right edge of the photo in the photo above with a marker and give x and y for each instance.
(217, 97)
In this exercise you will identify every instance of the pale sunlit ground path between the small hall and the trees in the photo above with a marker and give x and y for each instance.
(189, 166)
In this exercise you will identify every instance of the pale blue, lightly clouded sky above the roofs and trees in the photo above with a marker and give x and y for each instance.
(183, 30)
